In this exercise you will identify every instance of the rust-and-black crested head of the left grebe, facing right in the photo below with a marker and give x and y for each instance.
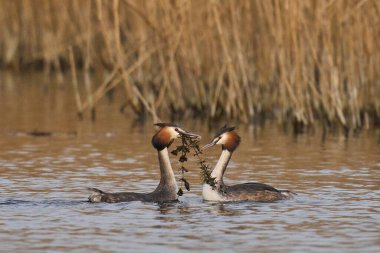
(167, 133)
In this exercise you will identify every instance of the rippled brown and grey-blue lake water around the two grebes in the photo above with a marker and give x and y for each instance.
(43, 183)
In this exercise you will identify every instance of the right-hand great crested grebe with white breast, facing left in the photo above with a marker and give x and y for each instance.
(230, 140)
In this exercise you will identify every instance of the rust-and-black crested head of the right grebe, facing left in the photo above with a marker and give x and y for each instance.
(227, 137)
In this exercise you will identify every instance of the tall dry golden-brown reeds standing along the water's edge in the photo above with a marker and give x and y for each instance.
(298, 61)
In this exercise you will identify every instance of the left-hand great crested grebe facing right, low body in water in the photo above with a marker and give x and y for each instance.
(167, 188)
